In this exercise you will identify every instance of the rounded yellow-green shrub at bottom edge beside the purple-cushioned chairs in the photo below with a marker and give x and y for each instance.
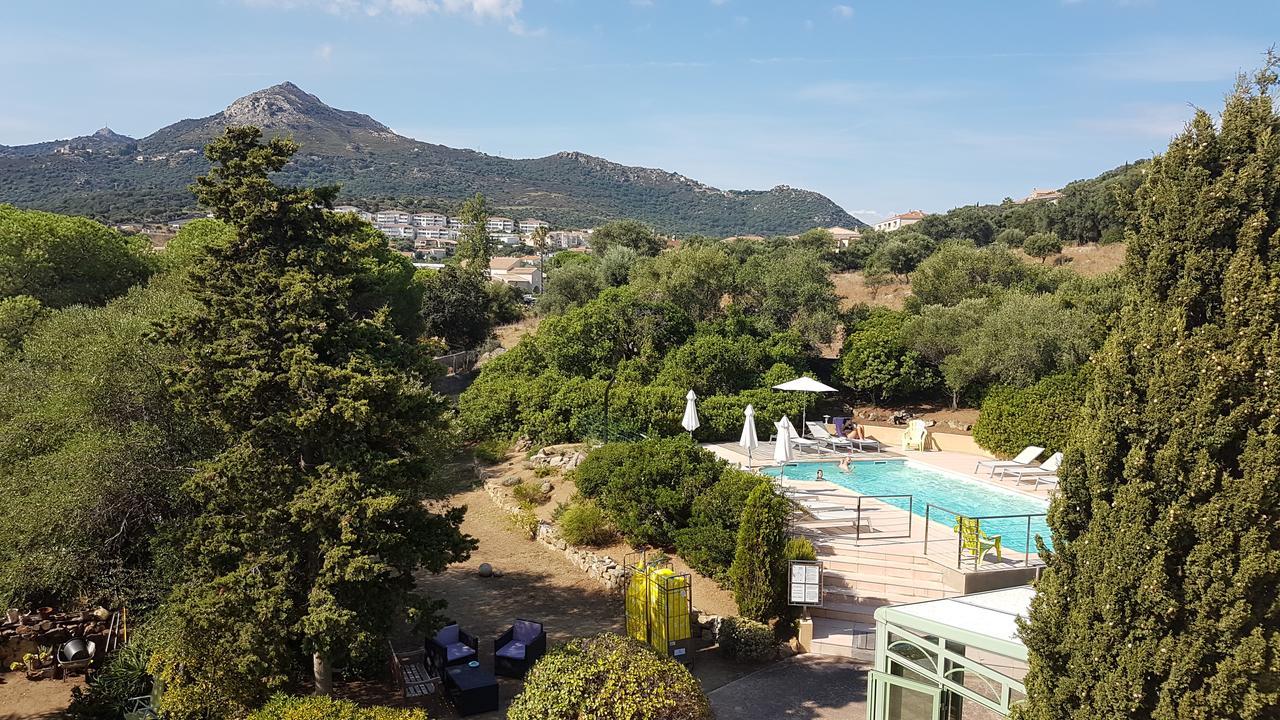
(609, 677)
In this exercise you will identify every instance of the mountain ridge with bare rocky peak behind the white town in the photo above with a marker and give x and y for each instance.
(120, 179)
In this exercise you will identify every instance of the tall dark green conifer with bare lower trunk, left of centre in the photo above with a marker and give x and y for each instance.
(310, 522)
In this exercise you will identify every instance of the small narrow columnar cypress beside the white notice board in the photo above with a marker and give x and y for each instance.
(760, 571)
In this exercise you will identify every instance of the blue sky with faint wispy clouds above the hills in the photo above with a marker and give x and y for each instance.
(884, 107)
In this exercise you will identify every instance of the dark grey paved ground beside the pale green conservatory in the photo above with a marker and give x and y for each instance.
(804, 687)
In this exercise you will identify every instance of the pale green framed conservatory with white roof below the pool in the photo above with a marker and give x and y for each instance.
(950, 659)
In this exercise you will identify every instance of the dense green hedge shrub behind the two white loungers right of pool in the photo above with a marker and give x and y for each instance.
(1043, 414)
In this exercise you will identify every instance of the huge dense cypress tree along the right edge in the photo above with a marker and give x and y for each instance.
(1163, 595)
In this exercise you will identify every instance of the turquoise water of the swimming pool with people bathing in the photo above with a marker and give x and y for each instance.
(961, 495)
